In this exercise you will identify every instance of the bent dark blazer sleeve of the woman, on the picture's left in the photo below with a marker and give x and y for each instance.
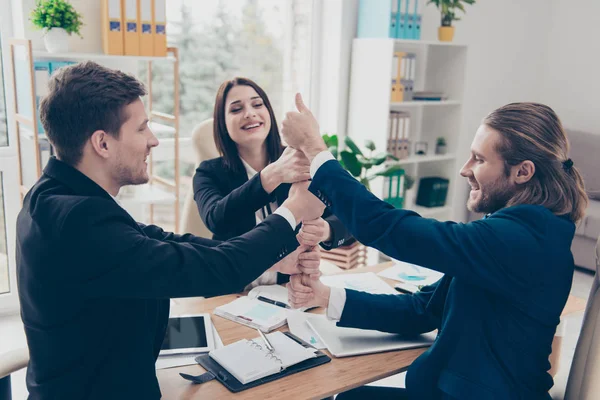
(220, 210)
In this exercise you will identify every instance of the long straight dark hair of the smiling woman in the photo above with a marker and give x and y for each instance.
(225, 145)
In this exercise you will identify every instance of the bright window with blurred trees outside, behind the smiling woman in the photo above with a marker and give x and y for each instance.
(268, 41)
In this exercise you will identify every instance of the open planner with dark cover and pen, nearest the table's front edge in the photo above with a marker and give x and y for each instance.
(249, 363)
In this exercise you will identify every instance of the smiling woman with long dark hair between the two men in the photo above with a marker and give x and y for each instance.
(236, 191)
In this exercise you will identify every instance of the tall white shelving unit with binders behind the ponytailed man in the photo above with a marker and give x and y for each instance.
(440, 66)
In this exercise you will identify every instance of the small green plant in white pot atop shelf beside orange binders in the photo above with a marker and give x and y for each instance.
(59, 20)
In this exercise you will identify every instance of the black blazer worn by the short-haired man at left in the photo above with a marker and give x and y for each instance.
(94, 285)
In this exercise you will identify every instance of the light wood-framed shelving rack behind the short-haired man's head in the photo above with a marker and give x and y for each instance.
(140, 200)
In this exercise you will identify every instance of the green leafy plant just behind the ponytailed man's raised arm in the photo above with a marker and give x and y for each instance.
(356, 162)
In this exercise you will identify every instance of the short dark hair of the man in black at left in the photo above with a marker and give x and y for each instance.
(82, 99)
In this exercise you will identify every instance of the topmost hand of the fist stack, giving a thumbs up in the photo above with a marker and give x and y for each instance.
(300, 130)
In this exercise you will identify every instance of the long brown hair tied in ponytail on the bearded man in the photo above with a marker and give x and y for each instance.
(532, 131)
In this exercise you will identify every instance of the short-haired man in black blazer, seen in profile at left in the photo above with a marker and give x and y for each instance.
(94, 285)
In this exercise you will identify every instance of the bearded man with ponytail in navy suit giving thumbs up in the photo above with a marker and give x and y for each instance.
(507, 276)
